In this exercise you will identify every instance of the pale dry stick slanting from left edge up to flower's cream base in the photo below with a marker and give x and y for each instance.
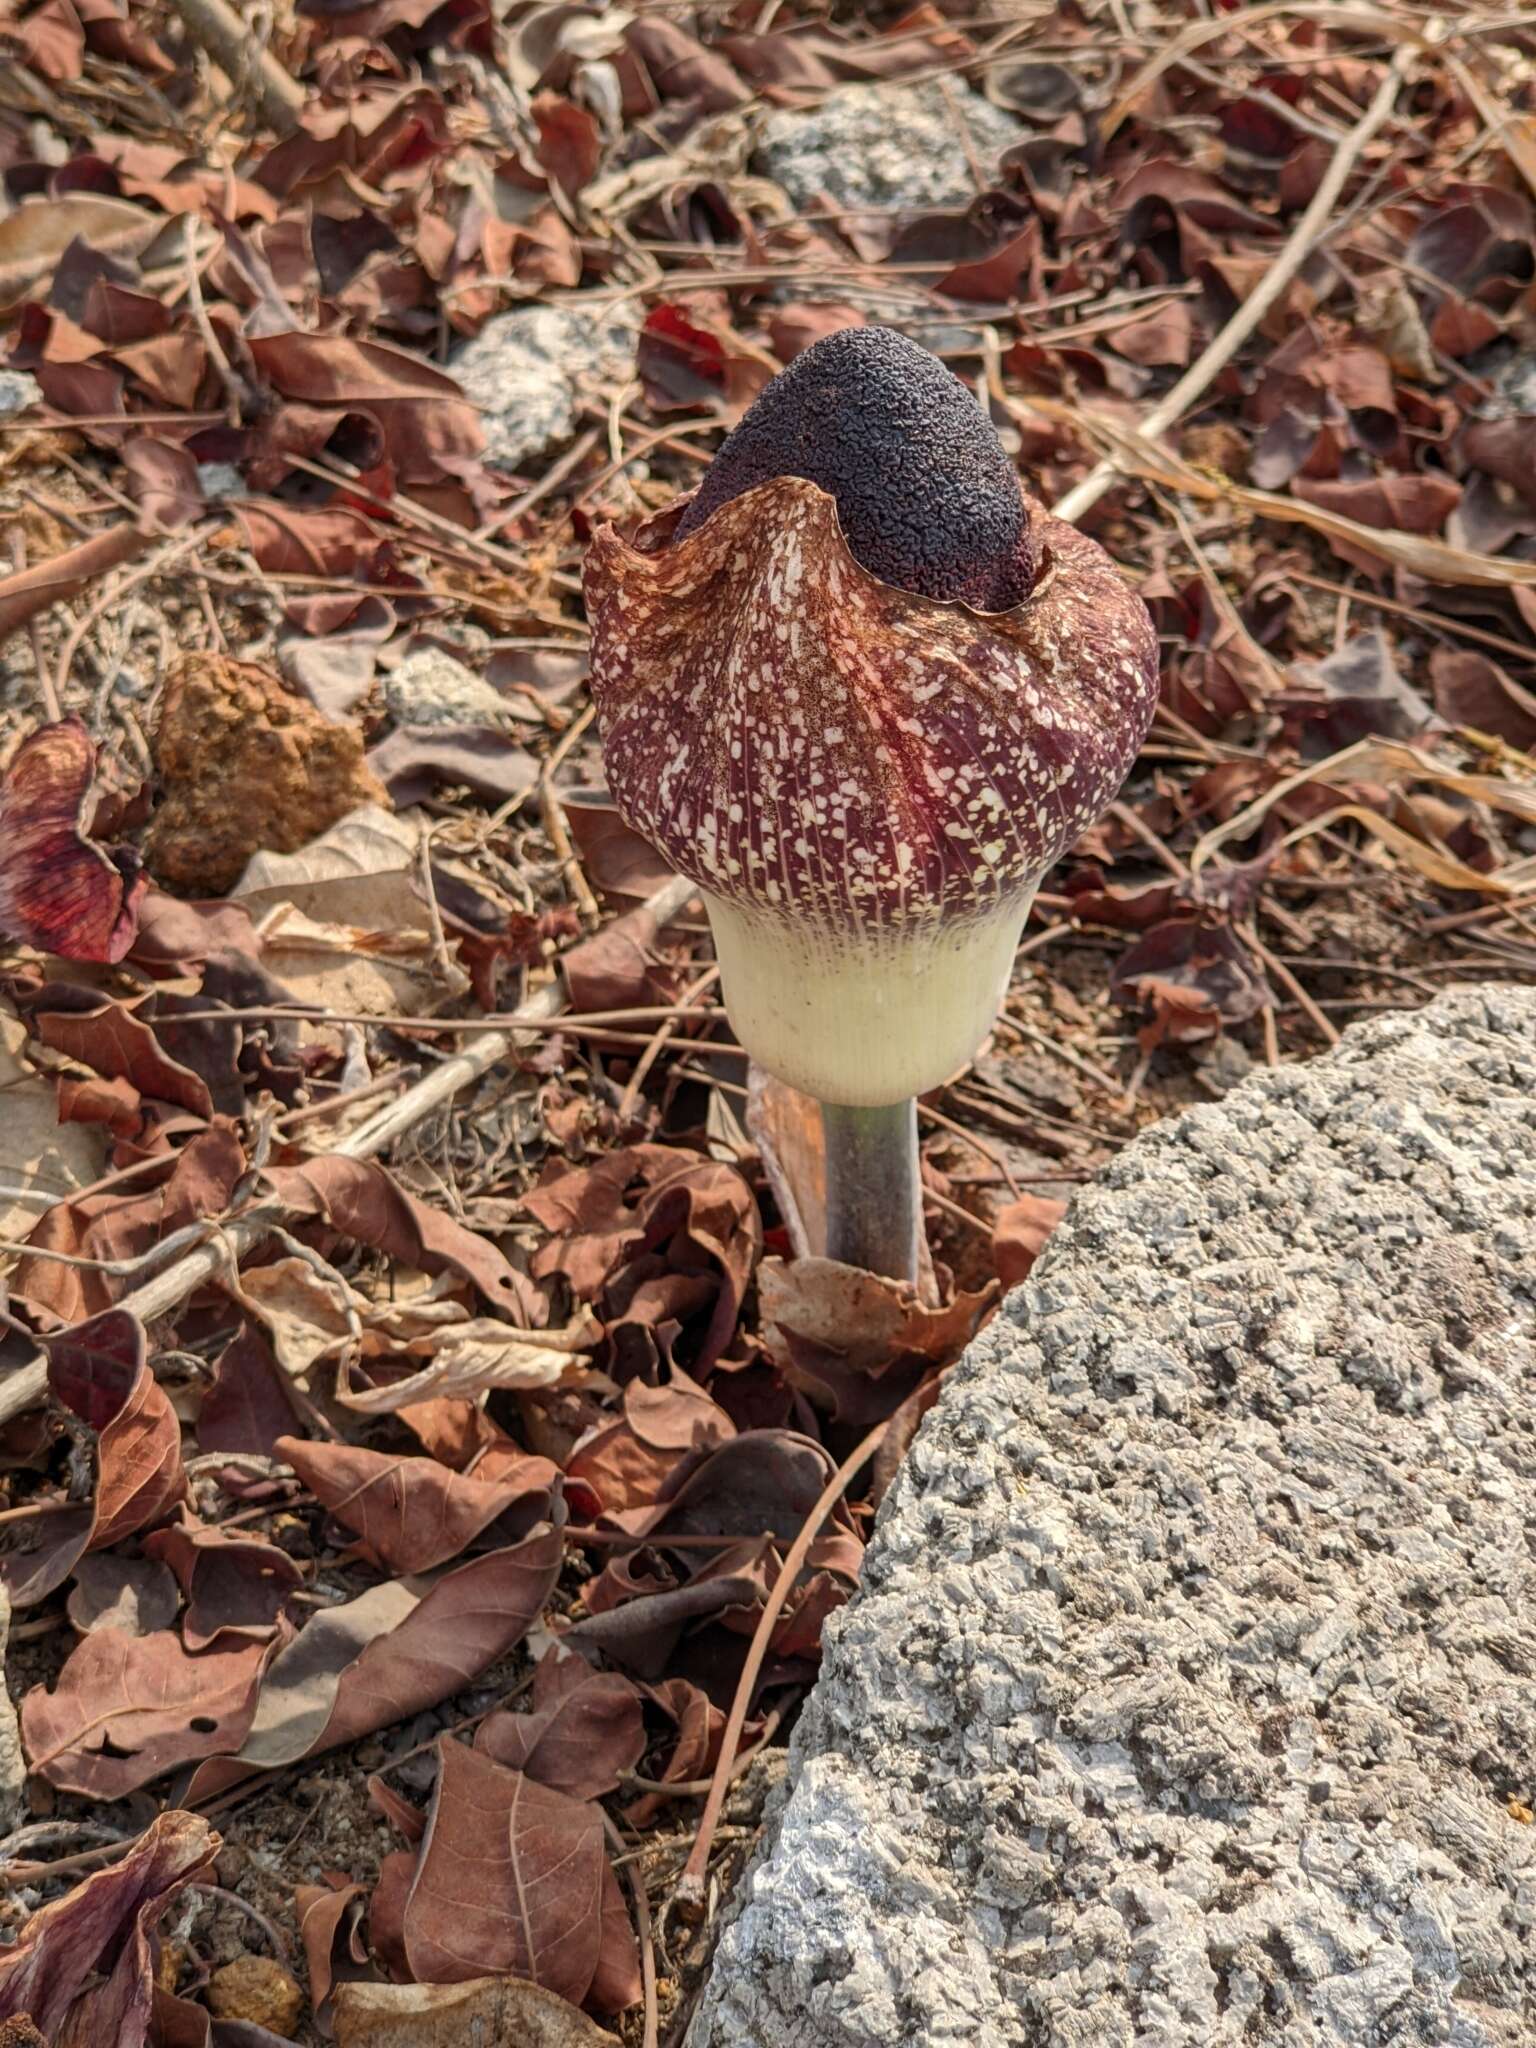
(216, 1254)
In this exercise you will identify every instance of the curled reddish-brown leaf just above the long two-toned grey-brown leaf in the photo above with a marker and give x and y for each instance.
(411, 1512)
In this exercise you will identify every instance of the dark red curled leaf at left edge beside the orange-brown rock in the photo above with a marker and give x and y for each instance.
(58, 890)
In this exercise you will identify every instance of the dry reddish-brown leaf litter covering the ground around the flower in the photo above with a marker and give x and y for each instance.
(421, 1367)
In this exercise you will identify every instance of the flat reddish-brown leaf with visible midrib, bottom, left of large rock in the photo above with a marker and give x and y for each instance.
(513, 1879)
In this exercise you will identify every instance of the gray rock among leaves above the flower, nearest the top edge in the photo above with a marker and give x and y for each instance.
(888, 146)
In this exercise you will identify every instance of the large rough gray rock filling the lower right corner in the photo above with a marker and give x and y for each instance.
(1191, 1693)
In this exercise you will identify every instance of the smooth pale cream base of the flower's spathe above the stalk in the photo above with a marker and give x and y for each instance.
(871, 1019)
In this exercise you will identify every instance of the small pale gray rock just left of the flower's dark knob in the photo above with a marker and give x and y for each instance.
(529, 370)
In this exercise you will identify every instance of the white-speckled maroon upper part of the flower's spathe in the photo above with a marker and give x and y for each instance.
(802, 738)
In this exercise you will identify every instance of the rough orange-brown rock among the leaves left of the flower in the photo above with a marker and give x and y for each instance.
(247, 769)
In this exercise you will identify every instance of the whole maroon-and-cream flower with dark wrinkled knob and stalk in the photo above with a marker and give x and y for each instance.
(865, 693)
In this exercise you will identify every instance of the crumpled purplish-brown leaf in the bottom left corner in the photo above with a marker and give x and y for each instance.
(85, 1965)
